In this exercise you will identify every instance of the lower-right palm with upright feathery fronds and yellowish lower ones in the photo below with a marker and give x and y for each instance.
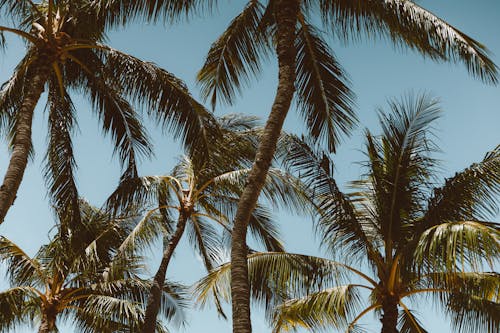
(414, 239)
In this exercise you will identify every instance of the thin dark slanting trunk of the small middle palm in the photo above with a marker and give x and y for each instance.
(154, 298)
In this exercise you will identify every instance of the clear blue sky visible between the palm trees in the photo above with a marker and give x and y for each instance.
(469, 127)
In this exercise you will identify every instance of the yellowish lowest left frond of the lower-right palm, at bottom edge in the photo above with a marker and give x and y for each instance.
(332, 307)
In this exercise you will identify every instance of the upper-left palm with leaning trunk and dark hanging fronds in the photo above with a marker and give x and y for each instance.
(65, 53)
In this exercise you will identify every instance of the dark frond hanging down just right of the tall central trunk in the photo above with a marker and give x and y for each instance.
(324, 97)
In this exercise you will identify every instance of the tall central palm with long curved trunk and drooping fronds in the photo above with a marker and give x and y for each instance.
(307, 66)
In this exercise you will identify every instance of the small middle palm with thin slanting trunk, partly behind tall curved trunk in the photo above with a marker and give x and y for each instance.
(202, 190)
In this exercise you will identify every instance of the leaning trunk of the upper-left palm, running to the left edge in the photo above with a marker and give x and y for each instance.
(22, 140)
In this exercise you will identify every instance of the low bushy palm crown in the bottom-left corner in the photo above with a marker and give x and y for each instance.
(77, 277)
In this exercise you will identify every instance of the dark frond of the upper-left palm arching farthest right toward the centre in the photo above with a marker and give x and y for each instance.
(165, 97)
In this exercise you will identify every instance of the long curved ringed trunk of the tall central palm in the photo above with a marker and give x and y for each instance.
(286, 17)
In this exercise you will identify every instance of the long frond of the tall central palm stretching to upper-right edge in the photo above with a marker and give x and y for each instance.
(407, 24)
